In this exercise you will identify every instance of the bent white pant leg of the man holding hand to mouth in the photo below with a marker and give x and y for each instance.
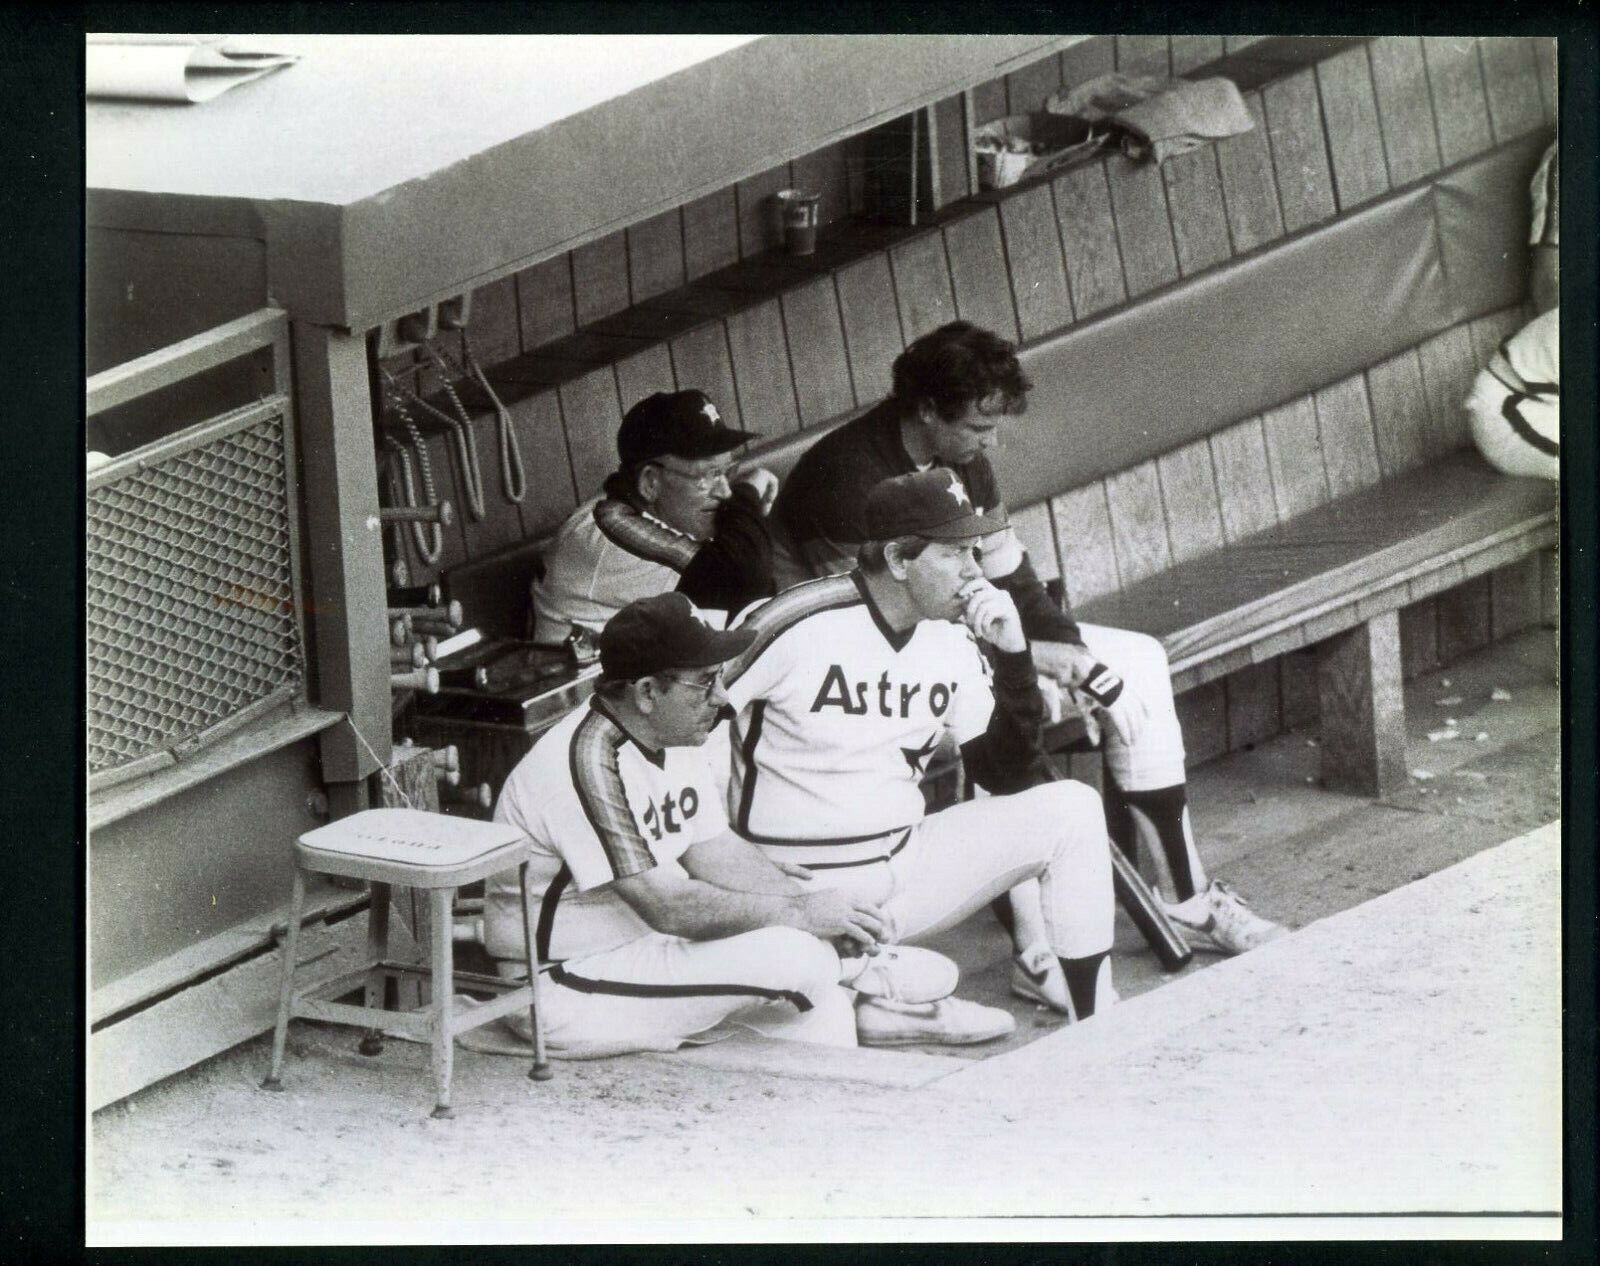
(962, 859)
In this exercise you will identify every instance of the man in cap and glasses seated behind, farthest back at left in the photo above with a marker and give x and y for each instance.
(676, 516)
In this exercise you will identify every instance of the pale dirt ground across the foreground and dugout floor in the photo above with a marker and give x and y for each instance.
(1401, 1052)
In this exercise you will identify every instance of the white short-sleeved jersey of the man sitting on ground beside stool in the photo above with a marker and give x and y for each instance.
(599, 807)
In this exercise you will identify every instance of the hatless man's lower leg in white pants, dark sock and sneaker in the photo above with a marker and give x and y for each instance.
(1148, 799)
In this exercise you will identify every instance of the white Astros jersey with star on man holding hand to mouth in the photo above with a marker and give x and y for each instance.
(839, 716)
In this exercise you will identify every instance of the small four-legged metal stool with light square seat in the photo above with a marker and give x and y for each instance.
(430, 852)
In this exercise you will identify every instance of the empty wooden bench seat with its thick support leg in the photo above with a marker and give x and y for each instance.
(1337, 579)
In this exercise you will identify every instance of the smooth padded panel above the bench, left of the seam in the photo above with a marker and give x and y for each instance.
(1238, 340)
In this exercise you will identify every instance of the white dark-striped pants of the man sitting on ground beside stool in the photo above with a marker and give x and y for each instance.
(658, 992)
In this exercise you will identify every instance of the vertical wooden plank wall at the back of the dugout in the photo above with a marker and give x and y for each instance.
(687, 300)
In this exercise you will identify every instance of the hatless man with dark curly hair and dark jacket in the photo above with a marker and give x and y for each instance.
(951, 390)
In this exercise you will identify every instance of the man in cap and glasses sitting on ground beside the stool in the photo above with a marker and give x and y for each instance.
(660, 923)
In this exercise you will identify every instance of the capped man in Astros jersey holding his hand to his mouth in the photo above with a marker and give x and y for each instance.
(850, 687)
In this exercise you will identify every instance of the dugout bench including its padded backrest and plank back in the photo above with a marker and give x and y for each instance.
(1290, 467)
